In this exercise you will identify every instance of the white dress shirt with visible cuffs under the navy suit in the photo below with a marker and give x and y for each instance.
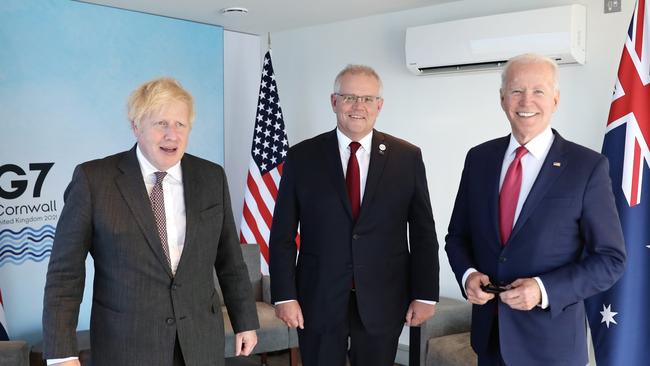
(531, 164)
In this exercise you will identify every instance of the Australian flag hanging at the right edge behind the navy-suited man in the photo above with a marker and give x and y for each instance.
(620, 317)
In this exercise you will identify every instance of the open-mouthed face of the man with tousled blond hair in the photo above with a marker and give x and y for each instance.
(162, 134)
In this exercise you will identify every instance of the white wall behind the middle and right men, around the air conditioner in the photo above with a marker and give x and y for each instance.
(444, 115)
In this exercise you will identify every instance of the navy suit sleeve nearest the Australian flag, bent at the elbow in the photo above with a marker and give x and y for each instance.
(603, 262)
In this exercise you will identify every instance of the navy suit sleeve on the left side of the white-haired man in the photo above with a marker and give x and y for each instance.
(458, 242)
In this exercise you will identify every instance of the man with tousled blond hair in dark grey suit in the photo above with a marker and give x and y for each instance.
(158, 223)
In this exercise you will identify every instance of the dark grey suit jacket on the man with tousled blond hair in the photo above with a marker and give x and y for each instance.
(138, 307)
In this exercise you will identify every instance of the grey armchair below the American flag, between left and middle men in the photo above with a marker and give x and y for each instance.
(273, 334)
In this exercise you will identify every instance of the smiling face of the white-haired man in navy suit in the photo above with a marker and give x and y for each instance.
(529, 98)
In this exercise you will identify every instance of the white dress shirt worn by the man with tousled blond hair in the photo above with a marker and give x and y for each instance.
(174, 213)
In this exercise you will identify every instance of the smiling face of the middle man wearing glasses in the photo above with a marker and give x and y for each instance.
(356, 119)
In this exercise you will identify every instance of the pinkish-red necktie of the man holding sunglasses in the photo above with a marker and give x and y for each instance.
(510, 195)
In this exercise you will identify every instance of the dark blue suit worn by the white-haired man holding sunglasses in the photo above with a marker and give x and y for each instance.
(568, 233)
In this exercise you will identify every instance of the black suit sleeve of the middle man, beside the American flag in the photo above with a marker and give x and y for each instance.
(282, 244)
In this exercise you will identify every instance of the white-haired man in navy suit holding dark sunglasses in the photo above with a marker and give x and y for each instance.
(534, 230)
